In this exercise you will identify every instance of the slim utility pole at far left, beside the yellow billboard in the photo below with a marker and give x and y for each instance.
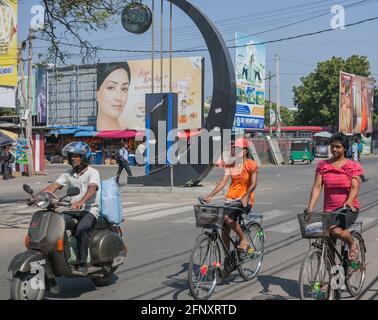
(29, 133)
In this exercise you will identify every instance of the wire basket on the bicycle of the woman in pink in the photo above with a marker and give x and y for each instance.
(315, 226)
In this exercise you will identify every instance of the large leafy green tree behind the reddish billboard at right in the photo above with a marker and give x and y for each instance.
(317, 98)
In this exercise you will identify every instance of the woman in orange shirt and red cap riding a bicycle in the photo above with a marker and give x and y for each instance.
(243, 183)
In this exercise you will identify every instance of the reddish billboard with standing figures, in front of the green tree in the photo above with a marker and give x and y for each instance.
(356, 104)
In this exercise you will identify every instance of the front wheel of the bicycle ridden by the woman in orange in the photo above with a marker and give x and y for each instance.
(204, 264)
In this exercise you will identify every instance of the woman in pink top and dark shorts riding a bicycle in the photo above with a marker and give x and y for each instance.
(341, 179)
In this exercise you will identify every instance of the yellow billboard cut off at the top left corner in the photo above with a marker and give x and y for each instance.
(8, 43)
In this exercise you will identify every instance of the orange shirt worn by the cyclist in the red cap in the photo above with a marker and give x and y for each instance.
(241, 180)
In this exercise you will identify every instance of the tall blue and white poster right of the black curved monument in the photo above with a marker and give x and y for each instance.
(250, 78)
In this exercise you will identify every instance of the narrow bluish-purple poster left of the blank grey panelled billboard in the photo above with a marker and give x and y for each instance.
(41, 94)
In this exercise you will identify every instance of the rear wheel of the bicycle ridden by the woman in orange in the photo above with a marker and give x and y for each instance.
(252, 260)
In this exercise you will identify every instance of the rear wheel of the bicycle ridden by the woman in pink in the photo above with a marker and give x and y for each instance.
(355, 271)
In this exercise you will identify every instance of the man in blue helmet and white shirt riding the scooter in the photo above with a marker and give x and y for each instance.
(87, 179)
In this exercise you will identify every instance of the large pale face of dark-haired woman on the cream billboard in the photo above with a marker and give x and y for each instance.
(113, 93)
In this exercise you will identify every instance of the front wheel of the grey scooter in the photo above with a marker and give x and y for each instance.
(25, 286)
